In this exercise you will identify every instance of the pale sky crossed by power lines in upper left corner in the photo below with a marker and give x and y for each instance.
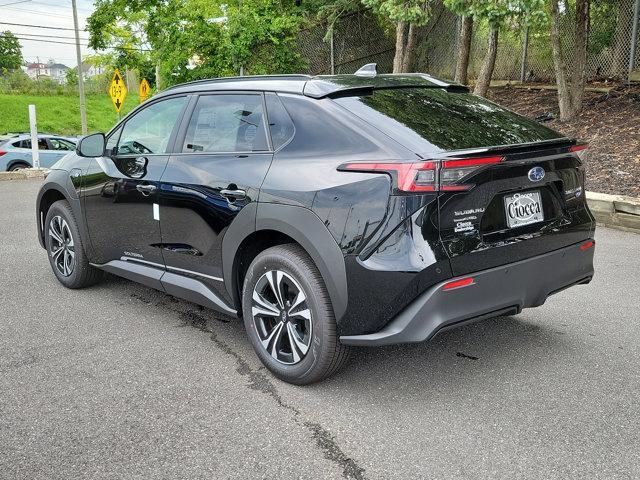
(49, 13)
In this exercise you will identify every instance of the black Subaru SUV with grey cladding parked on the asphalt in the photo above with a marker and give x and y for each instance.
(325, 211)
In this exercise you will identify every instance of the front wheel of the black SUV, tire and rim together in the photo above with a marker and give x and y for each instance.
(71, 265)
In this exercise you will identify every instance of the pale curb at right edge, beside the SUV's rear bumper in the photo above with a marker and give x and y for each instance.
(615, 211)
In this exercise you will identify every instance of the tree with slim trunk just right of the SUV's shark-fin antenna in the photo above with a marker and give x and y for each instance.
(407, 16)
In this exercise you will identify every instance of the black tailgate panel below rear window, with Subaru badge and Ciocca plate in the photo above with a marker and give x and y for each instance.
(531, 201)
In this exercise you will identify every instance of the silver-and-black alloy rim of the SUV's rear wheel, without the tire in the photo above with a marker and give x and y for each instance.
(282, 317)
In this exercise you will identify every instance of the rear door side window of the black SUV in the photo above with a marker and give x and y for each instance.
(227, 123)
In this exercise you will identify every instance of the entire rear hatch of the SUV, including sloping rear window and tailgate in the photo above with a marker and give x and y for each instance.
(509, 188)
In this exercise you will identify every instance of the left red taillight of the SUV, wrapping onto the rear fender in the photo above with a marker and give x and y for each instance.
(445, 175)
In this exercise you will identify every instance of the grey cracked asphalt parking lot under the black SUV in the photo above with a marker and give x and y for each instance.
(121, 381)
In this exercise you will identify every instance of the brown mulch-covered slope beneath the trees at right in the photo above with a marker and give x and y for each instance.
(610, 122)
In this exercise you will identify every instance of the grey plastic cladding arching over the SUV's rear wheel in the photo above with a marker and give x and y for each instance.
(300, 225)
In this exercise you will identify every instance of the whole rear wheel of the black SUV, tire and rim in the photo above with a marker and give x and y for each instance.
(291, 267)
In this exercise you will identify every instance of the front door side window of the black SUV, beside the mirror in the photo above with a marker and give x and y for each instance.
(149, 130)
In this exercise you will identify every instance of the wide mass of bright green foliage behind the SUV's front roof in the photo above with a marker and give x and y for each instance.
(194, 39)
